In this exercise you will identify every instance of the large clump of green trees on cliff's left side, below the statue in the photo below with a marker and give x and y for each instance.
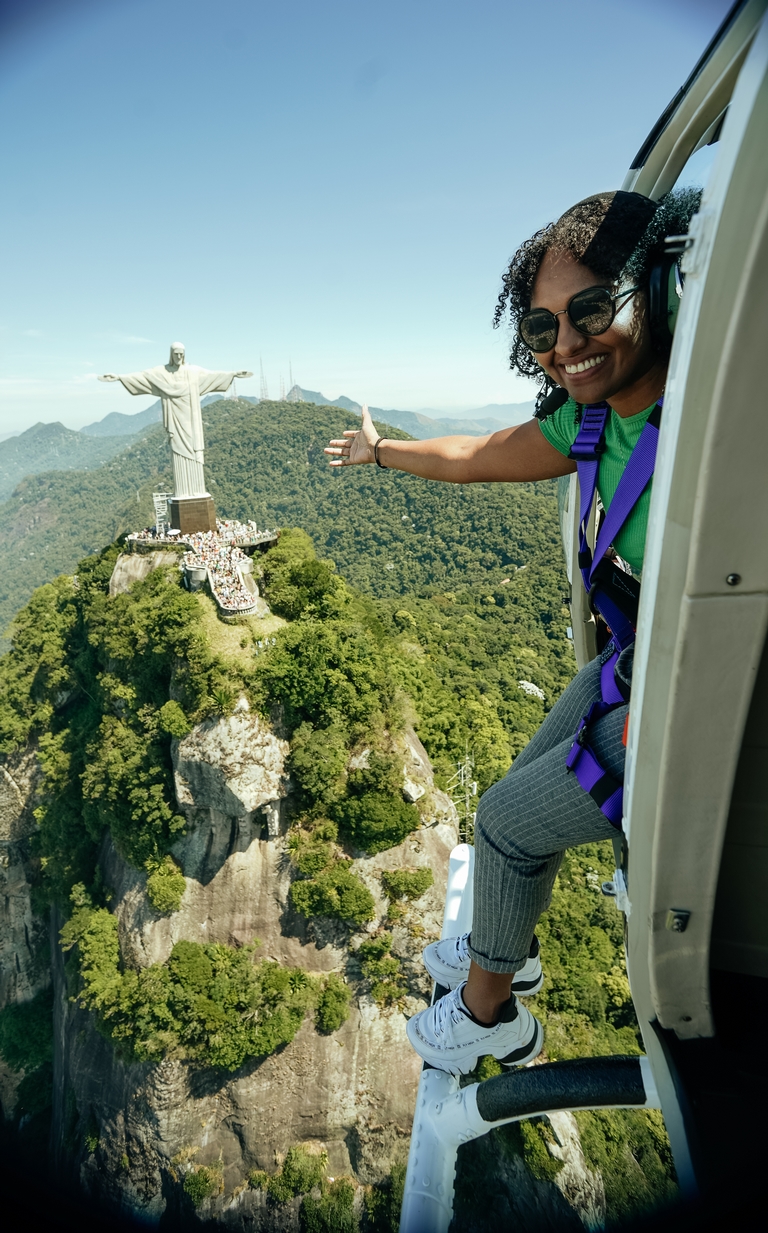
(102, 713)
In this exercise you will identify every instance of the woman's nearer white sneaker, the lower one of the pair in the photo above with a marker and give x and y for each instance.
(448, 1038)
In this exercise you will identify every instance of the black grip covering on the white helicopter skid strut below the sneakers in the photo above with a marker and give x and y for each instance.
(585, 1083)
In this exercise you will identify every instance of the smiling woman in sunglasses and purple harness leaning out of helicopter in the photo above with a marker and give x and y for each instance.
(592, 300)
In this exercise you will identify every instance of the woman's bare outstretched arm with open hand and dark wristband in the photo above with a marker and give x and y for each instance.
(513, 454)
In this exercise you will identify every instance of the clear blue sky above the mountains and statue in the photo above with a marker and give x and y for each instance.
(332, 186)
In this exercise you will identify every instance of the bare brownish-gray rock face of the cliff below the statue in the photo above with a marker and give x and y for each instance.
(131, 1130)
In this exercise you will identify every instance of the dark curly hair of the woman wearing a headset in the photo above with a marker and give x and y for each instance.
(617, 235)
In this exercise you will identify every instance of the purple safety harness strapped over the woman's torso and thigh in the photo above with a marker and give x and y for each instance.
(590, 443)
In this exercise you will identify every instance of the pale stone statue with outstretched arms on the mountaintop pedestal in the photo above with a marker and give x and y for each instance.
(181, 387)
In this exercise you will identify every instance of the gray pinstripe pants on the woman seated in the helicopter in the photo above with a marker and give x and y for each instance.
(527, 821)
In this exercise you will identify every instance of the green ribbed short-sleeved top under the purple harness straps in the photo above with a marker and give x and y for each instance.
(622, 437)
